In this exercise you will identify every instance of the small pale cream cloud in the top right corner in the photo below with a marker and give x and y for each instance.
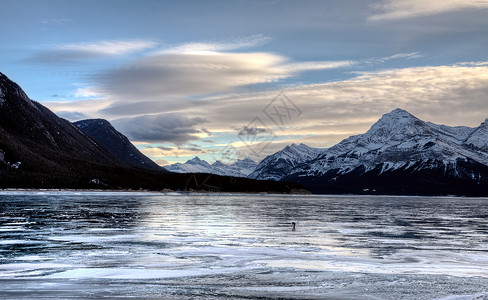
(404, 9)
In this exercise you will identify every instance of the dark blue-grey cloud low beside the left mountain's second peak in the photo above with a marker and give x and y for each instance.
(173, 128)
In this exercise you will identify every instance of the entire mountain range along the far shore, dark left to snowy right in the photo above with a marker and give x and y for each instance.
(399, 154)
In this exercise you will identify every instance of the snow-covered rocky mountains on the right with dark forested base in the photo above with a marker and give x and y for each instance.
(399, 154)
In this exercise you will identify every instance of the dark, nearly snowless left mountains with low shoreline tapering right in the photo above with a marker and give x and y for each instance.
(40, 150)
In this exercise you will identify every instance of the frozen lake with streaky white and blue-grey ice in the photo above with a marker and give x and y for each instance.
(143, 245)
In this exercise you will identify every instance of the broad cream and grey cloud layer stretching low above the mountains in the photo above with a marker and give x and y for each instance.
(192, 91)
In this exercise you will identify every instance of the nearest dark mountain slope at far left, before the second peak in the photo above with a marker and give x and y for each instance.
(40, 148)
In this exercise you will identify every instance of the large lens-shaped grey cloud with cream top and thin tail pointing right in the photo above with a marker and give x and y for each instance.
(167, 81)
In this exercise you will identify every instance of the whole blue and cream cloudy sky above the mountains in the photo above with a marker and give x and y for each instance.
(225, 80)
